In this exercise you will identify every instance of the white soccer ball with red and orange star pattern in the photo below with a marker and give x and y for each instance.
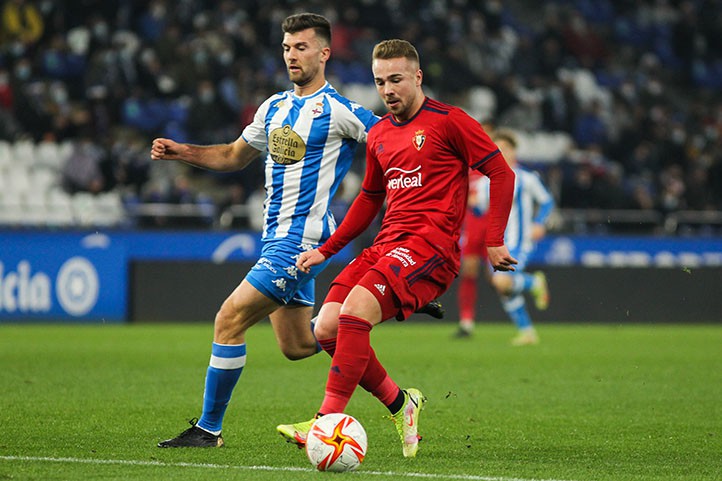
(336, 442)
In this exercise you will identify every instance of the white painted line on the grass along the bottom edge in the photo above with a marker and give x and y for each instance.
(463, 477)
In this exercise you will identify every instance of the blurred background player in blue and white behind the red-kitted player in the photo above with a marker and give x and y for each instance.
(530, 210)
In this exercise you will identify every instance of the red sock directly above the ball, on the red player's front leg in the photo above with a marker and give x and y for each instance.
(353, 351)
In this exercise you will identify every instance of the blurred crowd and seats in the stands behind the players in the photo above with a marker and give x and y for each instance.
(617, 103)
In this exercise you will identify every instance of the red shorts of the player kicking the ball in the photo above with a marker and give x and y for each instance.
(414, 272)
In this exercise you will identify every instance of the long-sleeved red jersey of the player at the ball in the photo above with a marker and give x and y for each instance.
(422, 167)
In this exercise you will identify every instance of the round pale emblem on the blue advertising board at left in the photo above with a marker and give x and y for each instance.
(77, 286)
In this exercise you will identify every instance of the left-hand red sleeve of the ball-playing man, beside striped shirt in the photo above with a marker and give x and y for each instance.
(363, 210)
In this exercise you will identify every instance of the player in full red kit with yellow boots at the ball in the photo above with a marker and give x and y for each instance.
(418, 158)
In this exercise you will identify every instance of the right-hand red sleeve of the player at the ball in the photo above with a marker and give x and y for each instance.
(473, 143)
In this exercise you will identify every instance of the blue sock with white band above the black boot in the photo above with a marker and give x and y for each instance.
(224, 369)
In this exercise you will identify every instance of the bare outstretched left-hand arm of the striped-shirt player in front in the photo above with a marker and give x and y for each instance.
(221, 157)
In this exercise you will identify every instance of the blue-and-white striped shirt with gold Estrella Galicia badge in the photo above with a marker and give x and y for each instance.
(311, 142)
